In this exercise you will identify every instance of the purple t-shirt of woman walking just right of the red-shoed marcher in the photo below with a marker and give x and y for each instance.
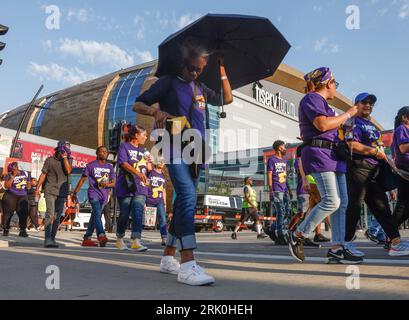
(127, 153)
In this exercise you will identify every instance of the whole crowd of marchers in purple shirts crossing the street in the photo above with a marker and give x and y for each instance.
(340, 165)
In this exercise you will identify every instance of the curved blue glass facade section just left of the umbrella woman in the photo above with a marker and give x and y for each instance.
(119, 106)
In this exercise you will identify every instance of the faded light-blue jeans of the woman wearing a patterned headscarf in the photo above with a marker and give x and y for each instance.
(334, 201)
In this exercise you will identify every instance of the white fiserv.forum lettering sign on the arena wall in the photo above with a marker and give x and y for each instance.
(274, 101)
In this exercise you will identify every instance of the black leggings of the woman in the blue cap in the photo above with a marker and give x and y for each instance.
(362, 186)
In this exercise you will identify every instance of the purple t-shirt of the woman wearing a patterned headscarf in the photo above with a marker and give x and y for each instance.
(314, 159)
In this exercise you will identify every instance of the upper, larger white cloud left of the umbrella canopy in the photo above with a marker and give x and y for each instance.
(96, 53)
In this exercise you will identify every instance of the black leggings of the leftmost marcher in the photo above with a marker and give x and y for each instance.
(13, 203)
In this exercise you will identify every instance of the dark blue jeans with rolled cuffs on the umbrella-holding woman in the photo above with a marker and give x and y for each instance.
(182, 227)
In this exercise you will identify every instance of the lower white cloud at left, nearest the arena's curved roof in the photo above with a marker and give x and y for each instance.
(55, 72)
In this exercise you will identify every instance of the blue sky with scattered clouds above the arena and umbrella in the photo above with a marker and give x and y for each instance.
(98, 37)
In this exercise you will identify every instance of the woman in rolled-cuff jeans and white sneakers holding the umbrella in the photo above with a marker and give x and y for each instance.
(181, 95)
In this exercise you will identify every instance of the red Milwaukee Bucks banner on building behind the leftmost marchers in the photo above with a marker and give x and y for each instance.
(32, 152)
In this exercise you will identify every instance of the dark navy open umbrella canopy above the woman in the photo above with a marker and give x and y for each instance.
(252, 48)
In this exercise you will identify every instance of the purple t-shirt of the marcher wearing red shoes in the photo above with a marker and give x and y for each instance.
(99, 173)
